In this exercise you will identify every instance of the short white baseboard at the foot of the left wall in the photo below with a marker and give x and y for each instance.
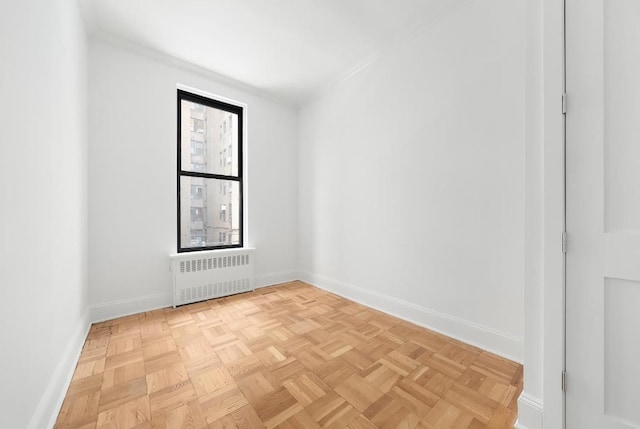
(51, 400)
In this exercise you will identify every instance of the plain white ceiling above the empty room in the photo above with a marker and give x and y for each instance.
(290, 48)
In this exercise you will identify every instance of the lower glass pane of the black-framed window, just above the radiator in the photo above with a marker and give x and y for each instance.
(209, 212)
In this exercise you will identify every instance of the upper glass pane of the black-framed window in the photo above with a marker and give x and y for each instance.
(208, 139)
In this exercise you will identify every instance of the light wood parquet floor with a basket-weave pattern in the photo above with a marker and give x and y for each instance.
(287, 356)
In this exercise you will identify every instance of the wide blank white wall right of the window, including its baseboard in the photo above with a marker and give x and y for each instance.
(412, 179)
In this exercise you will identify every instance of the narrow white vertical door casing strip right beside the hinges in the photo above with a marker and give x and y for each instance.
(554, 212)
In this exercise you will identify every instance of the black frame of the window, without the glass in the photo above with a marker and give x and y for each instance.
(231, 108)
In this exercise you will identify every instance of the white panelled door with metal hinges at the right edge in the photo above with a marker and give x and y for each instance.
(603, 214)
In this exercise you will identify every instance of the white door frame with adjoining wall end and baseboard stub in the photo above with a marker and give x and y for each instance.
(542, 400)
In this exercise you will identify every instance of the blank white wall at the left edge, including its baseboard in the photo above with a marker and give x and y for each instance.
(43, 220)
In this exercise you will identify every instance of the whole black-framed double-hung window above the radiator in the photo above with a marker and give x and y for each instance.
(209, 192)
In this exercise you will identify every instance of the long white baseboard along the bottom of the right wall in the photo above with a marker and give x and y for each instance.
(484, 337)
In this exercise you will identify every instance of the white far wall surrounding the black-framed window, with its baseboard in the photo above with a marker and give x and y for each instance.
(132, 162)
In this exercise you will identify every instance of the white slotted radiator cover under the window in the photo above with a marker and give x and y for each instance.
(198, 276)
